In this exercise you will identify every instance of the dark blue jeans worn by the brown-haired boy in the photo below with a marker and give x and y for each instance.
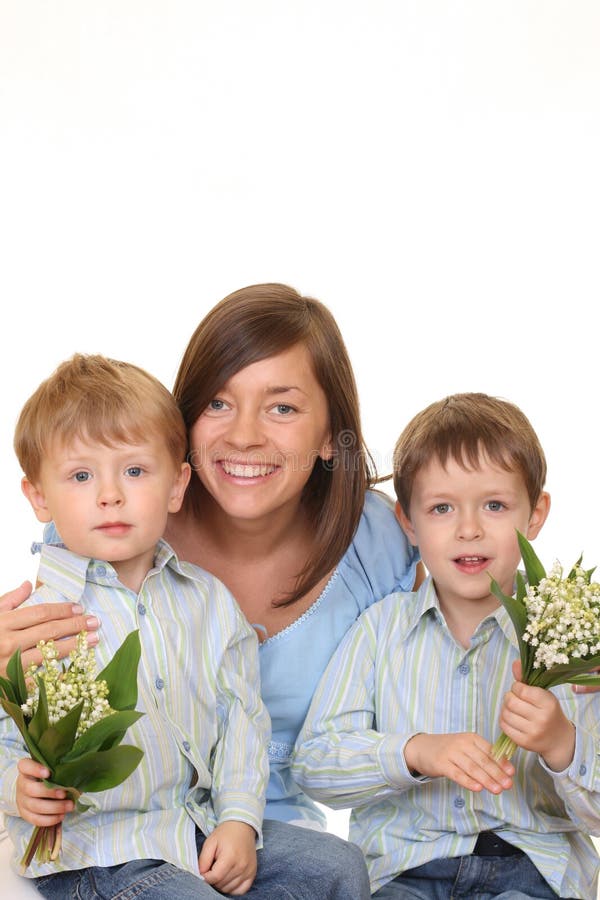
(472, 877)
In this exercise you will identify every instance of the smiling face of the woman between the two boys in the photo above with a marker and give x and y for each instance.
(256, 443)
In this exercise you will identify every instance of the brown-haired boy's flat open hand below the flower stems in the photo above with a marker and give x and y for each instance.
(464, 758)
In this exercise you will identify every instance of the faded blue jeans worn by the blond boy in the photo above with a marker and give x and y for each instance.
(294, 864)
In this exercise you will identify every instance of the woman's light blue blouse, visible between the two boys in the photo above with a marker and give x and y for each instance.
(379, 561)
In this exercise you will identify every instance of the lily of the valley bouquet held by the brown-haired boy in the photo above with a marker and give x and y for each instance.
(557, 620)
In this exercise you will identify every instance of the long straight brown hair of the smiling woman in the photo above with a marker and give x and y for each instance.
(255, 323)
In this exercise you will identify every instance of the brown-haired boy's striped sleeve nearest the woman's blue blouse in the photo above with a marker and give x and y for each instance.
(340, 758)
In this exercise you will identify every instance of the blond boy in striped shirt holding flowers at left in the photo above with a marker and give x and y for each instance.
(102, 445)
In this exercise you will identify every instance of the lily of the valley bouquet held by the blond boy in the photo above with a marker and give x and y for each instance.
(73, 721)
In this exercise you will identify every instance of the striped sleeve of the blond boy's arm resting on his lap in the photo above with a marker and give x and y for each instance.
(240, 764)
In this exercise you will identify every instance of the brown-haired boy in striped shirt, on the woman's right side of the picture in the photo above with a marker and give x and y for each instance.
(402, 724)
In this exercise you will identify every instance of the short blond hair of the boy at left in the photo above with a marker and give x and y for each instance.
(101, 400)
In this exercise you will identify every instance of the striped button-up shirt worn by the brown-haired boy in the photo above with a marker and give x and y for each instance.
(399, 671)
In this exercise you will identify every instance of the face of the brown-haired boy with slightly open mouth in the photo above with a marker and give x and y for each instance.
(464, 522)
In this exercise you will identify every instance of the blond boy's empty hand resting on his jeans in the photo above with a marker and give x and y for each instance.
(227, 860)
